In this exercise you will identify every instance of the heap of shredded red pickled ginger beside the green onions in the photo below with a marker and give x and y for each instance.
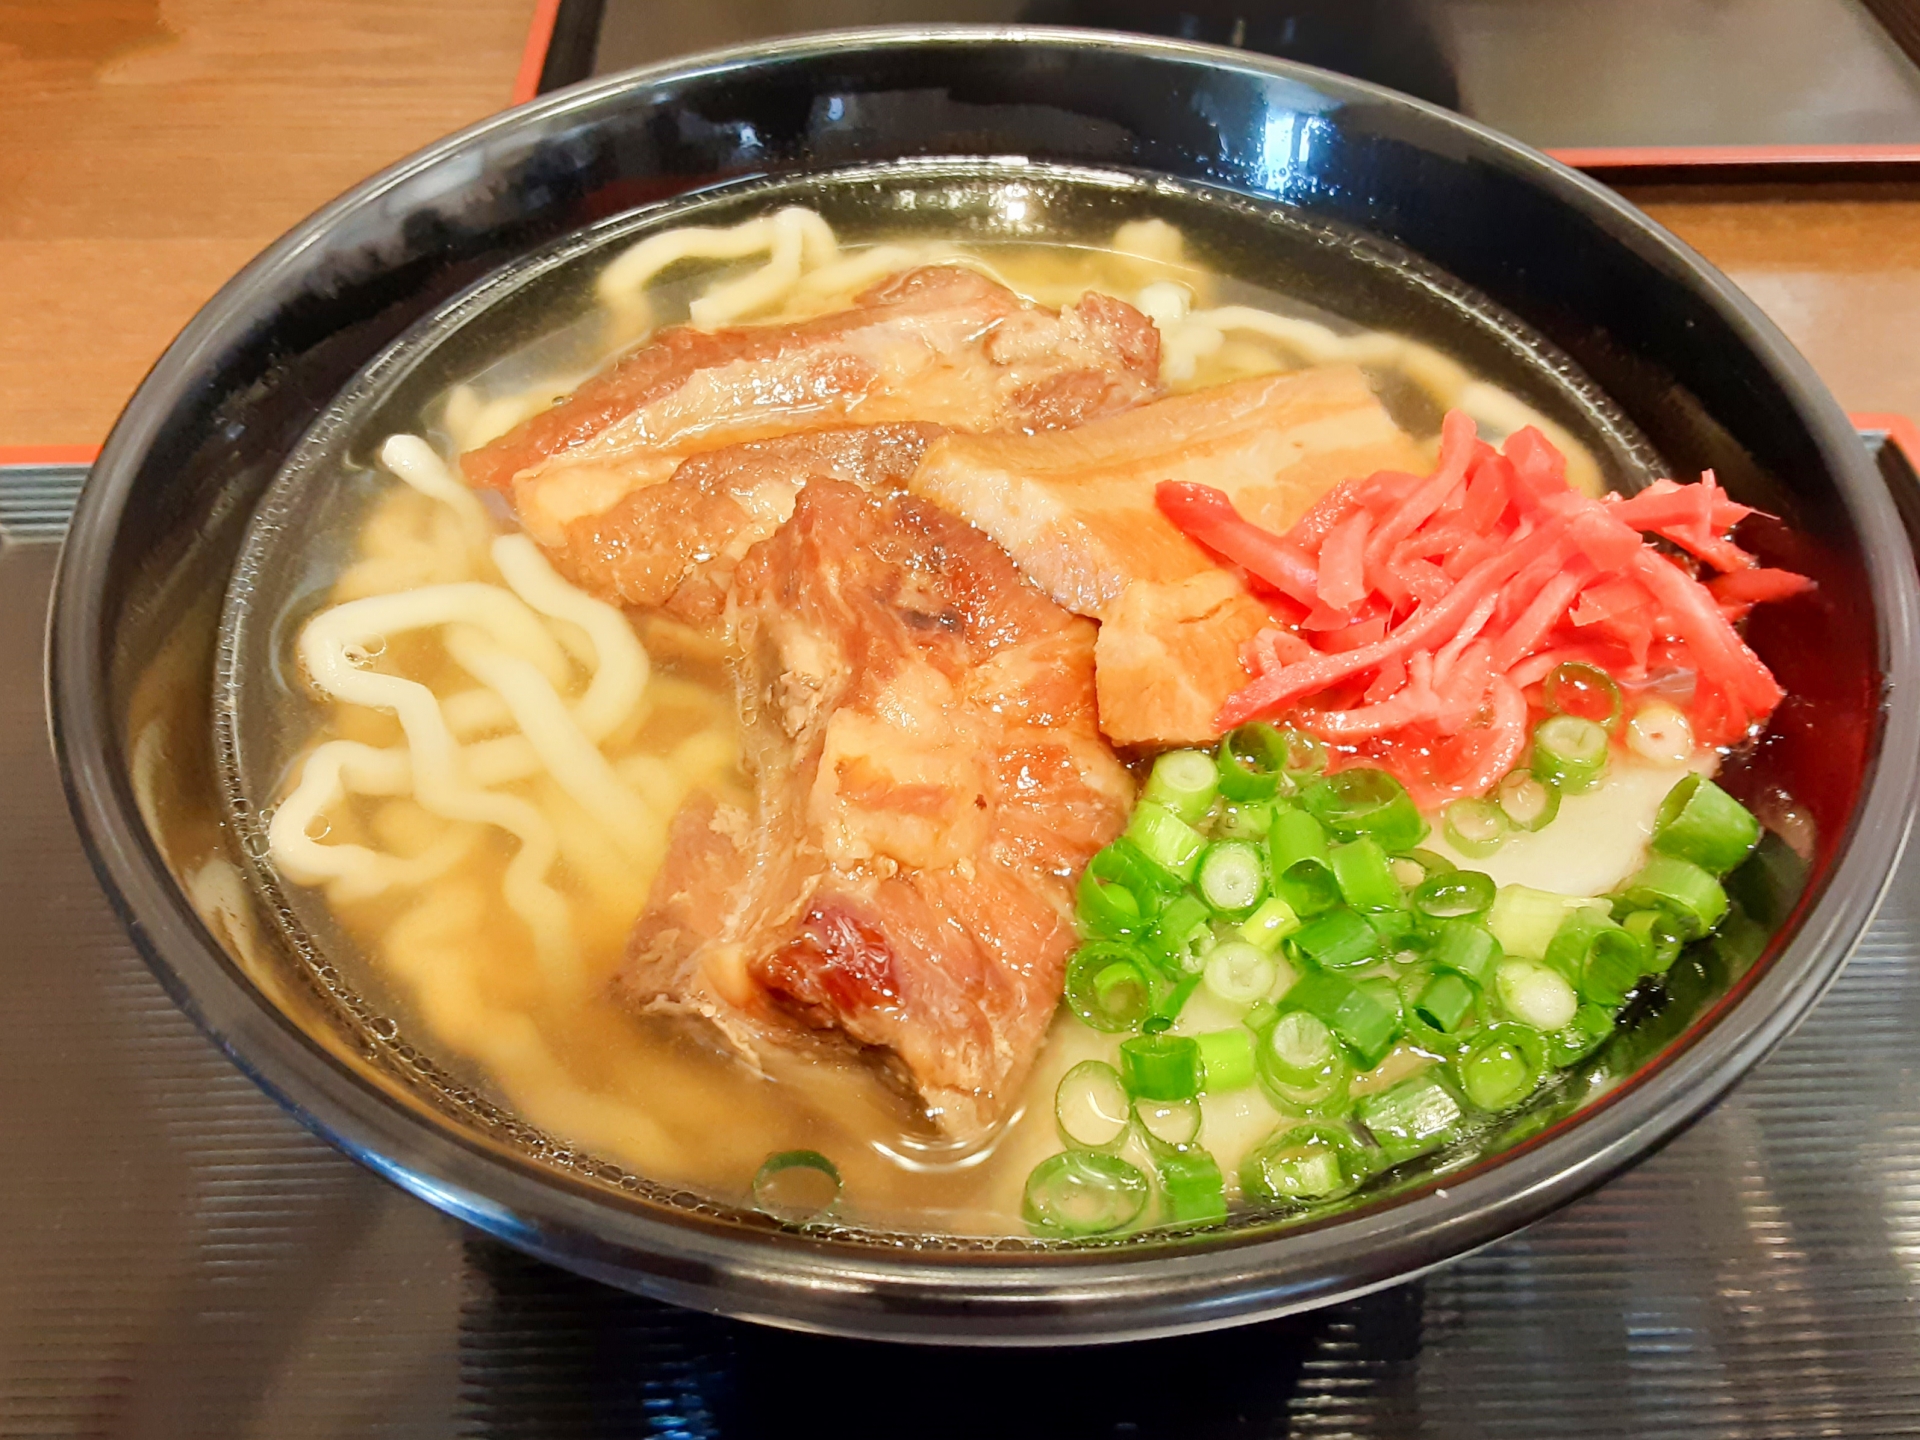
(1426, 610)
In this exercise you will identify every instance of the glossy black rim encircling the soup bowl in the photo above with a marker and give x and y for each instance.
(988, 1297)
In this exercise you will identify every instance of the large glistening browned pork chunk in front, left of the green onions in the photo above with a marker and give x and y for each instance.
(928, 784)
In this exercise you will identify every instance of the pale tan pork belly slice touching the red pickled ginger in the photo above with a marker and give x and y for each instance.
(1076, 510)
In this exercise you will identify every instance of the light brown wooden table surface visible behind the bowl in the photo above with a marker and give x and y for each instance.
(149, 149)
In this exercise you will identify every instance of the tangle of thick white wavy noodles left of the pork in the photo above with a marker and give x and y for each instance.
(516, 640)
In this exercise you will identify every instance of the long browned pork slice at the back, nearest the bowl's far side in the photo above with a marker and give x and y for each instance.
(940, 347)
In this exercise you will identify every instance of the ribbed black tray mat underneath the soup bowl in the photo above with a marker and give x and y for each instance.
(181, 1259)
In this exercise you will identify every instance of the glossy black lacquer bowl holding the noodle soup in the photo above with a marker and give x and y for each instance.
(1691, 366)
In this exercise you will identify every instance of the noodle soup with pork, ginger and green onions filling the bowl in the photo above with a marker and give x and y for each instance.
(535, 765)
